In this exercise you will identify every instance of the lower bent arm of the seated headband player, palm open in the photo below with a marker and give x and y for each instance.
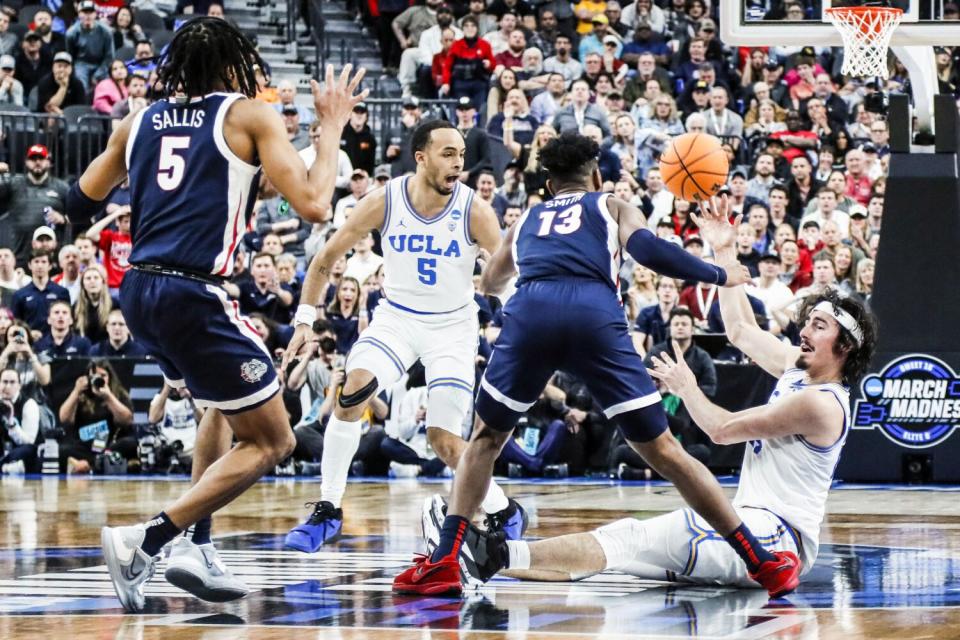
(815, 415)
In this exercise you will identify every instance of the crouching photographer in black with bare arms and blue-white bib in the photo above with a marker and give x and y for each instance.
(97, 416)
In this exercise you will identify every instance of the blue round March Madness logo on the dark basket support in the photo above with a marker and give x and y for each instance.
(914, 401)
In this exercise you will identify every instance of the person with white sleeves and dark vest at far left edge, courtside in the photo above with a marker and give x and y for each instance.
(19, 425)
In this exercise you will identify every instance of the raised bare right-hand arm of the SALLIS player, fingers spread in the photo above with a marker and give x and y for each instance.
(309, 191)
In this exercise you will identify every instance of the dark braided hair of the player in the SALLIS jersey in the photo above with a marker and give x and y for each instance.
(205, 54)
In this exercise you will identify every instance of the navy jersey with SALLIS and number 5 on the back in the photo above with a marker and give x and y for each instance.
(191, 196)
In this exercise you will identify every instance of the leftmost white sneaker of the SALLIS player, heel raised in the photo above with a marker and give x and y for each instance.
(129, 566)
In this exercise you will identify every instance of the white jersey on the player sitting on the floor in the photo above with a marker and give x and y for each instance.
(790, 476)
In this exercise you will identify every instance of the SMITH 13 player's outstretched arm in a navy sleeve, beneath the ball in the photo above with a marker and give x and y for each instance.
(665, 257)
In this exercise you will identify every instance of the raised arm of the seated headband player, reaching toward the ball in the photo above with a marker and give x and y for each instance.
(768, 351)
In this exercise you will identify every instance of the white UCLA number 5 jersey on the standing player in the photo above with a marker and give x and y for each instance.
(427, 262)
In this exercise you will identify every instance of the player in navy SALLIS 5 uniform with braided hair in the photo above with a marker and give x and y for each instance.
(194, 160)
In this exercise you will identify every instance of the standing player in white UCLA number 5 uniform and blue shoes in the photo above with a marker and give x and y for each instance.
(432, 231)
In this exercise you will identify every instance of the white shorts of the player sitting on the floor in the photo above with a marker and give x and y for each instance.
(681, 547)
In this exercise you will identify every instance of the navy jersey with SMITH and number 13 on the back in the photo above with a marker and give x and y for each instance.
(570, 236)
